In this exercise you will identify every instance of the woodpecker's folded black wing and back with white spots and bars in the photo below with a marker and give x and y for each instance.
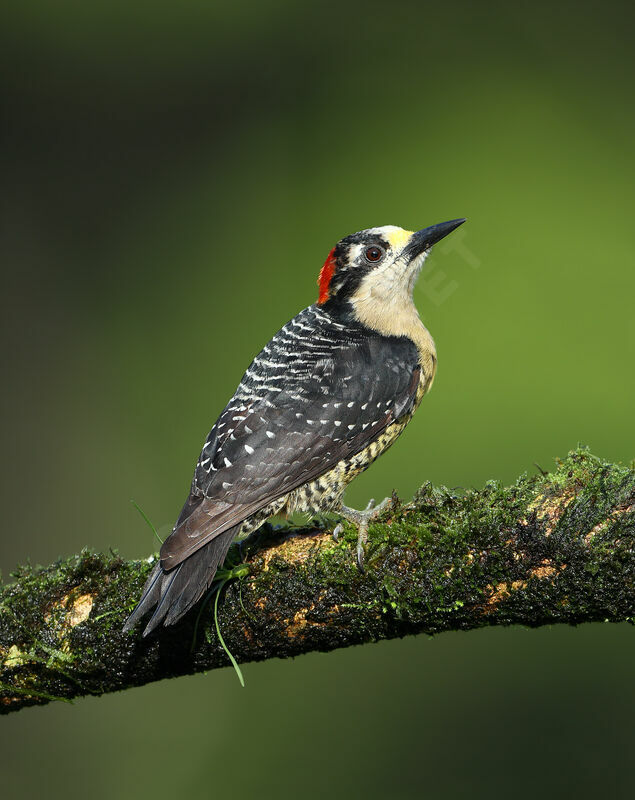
(277, 434)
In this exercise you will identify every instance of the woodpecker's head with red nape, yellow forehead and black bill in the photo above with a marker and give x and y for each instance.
(380, 263)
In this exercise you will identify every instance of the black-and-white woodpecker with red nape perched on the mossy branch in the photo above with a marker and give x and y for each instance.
(322, 400)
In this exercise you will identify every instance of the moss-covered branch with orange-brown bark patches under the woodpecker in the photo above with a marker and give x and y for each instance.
(553, 548)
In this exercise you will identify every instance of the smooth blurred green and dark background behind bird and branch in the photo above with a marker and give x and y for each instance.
(173, 176)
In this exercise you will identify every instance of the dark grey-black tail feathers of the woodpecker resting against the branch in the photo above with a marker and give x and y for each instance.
(175, 592)
